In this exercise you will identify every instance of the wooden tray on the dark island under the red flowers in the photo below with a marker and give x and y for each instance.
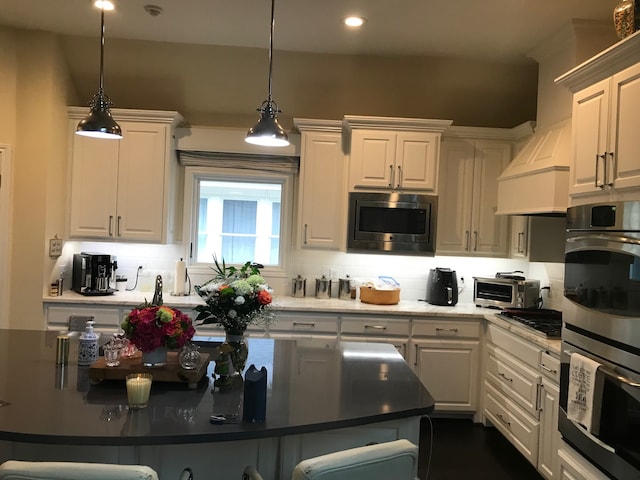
(172, 372)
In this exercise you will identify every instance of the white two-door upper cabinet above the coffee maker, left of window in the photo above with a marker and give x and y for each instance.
(125, 189)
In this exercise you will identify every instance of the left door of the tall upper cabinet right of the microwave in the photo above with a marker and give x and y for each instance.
(453, 235)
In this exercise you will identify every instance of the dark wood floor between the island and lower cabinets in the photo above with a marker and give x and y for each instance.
(464, 450)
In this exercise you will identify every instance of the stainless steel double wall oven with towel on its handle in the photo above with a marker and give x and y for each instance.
(601, 313)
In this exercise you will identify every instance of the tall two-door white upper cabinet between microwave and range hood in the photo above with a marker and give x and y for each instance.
(468, 196)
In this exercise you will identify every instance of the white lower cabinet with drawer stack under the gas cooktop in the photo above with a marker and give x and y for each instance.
(521, 388)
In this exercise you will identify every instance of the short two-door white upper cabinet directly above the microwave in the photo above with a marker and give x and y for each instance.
(393, 153)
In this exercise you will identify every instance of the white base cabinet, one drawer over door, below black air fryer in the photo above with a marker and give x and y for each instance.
(454, 344)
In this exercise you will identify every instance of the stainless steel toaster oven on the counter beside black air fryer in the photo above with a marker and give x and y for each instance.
(506, 291)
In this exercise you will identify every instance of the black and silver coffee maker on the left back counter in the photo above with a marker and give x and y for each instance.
(92, 273)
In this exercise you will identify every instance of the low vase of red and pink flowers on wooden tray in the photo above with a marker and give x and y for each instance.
(155, 330)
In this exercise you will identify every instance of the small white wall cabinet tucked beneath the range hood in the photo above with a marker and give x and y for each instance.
(538, 239)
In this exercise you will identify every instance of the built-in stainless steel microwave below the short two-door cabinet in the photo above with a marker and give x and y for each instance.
(392, 223)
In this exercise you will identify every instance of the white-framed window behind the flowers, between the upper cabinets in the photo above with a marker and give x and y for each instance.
(237, 216)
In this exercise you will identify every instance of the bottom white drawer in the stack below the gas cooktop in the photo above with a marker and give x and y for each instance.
(521, 430)
